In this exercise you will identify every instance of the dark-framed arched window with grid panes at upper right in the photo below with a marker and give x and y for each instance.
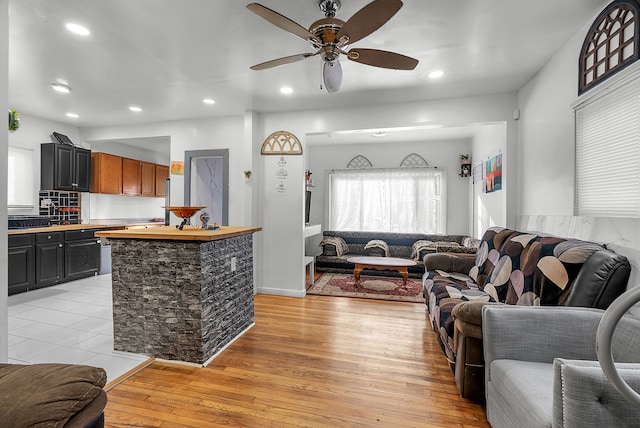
(611, 43)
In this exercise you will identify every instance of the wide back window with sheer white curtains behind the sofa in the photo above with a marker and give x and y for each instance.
(411, 200)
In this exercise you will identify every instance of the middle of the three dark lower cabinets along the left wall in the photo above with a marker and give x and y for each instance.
(49, 258)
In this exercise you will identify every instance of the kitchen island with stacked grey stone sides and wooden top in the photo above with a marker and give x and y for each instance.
(181, 294)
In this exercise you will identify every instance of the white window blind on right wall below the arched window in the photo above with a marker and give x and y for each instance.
(608, 153)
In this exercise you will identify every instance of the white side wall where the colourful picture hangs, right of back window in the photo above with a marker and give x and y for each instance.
(490, 209)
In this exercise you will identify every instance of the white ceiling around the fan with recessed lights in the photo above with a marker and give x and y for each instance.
(166, 55)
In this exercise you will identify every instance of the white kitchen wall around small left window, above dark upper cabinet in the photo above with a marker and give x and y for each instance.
(33, 132)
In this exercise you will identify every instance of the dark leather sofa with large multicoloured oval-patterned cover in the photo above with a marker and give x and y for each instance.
(514, 268)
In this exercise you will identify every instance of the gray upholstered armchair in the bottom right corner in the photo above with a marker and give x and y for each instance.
(542, 370)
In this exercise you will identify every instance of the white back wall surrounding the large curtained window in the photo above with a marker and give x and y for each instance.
(389, 154)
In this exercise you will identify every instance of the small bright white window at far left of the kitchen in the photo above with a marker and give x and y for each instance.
(21, 192)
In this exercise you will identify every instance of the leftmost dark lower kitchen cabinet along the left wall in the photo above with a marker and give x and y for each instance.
(21, 263)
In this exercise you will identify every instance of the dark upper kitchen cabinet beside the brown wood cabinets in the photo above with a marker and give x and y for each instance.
(64, 167)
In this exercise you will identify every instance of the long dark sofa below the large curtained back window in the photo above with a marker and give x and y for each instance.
(337, 247)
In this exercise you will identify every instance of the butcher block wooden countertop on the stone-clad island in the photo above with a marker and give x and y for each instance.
(171, 233)
